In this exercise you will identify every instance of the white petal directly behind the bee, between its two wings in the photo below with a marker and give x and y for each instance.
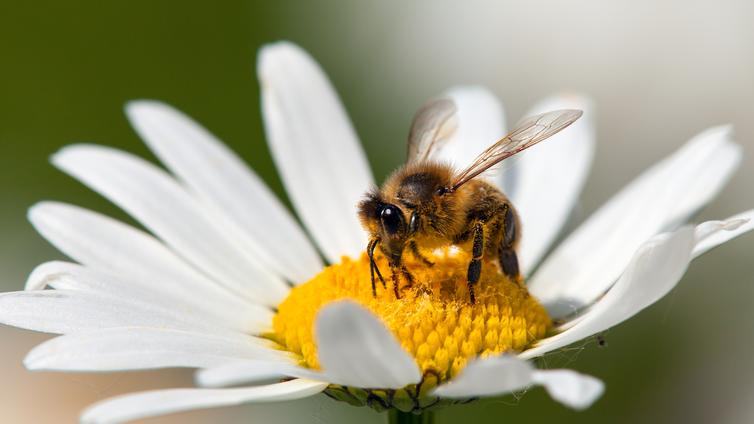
(481, 122)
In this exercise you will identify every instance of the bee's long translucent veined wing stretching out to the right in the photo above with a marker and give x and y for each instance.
(529, 132)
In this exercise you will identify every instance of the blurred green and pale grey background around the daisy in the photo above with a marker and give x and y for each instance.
(659, 73)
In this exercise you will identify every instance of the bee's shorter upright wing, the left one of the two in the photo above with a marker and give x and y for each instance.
(432, 126)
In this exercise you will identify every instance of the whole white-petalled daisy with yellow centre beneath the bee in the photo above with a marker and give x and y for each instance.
(228, 282)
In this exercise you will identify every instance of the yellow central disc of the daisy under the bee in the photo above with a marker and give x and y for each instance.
(433, 319)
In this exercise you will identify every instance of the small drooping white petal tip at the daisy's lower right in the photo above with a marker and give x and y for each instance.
(570, 388)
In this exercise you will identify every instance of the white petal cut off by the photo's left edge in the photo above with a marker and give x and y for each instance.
(67, 311)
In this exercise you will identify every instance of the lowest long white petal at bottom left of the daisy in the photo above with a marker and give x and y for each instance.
(160, 402)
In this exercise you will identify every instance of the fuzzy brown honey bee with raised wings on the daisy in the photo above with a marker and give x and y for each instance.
(428, 204)
